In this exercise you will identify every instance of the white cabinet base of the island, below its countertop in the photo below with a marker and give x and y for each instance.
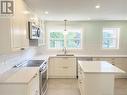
(95, 83)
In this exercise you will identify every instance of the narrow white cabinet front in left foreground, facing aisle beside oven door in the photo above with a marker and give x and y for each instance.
(33, 86)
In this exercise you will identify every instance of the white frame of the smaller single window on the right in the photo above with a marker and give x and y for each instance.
(117, 39)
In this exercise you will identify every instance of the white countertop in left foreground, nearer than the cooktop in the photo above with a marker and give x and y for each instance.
(22, 75)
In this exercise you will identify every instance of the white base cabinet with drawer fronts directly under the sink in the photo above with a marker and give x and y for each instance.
(62, 67)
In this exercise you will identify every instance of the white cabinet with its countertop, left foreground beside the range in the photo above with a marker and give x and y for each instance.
(23, 82)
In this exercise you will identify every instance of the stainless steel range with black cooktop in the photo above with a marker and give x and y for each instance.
(42, 72)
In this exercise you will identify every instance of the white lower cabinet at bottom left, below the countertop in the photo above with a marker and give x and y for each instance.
(31, 88)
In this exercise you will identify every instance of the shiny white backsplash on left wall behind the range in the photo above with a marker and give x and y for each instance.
(9, 60)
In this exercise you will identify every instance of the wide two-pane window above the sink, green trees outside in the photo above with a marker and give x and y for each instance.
(58, 40)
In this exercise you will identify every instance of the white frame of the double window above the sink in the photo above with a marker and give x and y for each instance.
(65, 41)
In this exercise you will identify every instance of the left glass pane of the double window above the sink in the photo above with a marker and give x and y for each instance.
(56, 40)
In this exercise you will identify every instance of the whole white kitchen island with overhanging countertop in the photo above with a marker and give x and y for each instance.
(97, 77)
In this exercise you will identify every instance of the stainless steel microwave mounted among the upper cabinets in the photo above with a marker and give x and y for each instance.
(34, 30)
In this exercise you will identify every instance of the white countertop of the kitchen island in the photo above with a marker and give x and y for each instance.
(99, 67)
